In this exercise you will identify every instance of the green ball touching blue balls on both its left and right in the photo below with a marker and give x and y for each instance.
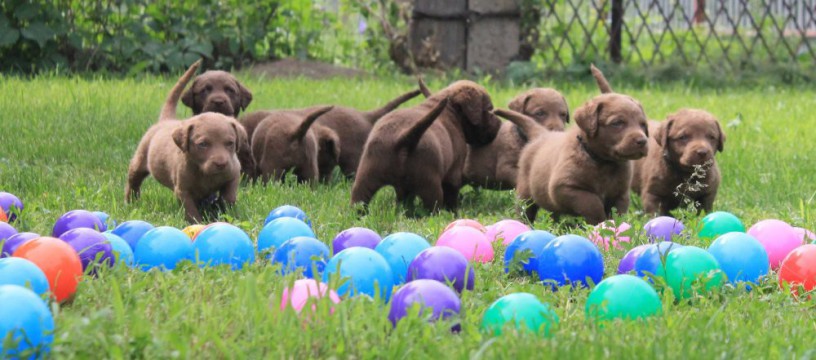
(690, 265)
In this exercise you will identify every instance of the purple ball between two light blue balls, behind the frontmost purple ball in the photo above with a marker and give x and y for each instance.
(442, 264)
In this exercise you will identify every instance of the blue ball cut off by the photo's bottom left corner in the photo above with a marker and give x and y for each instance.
(27, 317)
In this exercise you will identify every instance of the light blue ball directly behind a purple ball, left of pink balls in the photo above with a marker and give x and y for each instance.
(399, 250)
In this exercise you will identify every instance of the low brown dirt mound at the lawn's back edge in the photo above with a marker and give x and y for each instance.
(306, 68)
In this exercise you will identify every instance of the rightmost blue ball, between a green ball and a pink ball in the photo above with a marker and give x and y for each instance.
(741, 256)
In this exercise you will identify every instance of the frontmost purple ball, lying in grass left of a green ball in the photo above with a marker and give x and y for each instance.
(435, 299)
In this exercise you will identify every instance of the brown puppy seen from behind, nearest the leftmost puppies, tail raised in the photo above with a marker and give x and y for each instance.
(286, 142)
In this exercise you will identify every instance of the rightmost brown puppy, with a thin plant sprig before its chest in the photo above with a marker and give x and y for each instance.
(685, 140)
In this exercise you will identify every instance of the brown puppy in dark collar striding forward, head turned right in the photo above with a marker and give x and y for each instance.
(586, 170)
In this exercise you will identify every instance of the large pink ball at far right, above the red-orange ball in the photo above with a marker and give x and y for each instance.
(777, 237)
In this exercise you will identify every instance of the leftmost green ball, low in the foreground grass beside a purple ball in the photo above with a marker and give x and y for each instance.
(524, 309)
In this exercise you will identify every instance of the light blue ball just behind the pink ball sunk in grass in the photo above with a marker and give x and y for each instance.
(361, 271)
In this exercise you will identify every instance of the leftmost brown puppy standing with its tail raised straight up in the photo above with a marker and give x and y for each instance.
(195, 157)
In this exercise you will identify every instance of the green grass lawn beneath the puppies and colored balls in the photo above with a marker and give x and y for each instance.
(66, 144)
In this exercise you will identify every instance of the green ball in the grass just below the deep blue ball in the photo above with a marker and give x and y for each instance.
(623, 297)
